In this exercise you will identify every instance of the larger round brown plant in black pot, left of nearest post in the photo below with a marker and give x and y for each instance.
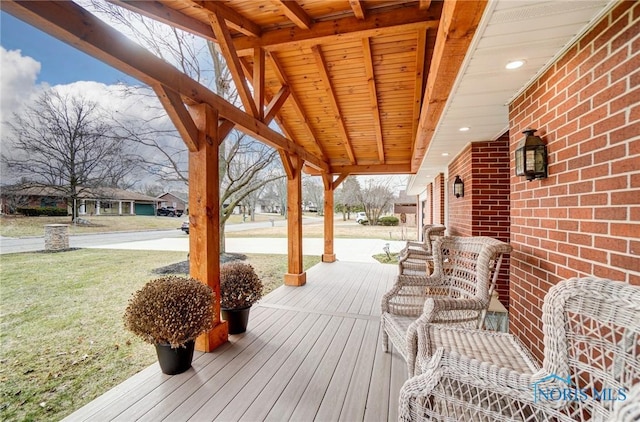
(170, 312)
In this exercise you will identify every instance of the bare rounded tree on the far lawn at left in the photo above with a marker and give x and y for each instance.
(68, 144)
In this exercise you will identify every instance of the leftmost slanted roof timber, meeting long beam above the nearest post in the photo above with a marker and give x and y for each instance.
(221, 31)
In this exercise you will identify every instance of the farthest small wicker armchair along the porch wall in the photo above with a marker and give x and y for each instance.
(417, 257)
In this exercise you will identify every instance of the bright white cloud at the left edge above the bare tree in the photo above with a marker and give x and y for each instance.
(17, 81)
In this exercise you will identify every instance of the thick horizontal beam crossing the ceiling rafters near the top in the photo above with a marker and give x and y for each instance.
(347, 29)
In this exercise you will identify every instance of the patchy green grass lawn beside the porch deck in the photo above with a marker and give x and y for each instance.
(61, 333)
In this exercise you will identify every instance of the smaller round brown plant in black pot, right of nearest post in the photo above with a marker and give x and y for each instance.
(240, 287)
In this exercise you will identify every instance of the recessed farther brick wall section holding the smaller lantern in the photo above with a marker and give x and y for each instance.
(484, 209)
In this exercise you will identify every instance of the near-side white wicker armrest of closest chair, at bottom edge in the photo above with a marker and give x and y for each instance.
(461, 388)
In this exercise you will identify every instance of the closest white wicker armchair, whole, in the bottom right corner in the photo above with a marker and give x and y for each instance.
(591, 362)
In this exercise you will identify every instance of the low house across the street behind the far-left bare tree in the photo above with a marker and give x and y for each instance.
(94, 201)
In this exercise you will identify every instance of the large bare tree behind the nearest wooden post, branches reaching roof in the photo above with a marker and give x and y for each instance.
(246, 165)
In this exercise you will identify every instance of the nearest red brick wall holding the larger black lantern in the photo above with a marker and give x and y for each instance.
(584, 219)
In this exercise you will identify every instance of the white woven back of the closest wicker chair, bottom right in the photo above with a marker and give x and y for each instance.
(592, 334)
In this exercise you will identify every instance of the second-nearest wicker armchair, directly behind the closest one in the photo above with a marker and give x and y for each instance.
(457, 293)
